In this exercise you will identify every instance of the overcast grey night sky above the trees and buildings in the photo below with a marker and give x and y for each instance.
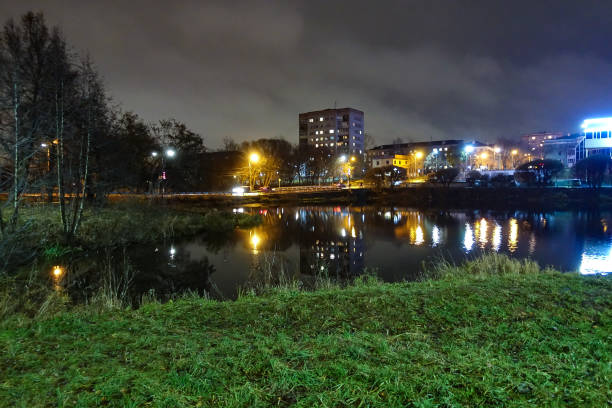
(420, 70)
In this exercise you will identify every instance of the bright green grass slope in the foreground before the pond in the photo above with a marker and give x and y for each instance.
(537, 339)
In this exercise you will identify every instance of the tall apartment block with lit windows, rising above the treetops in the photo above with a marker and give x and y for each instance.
(337, 131)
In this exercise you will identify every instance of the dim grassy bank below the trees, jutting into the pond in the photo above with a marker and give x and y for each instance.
(39, 231)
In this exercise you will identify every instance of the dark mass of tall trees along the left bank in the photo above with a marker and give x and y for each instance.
(61, 136)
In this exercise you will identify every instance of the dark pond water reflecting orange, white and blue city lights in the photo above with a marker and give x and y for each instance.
(341, 242)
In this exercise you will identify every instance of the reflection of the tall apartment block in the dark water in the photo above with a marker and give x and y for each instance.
(335, 245)
